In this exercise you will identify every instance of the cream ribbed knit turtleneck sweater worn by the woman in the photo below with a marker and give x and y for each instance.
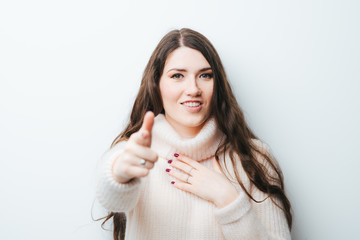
(156, 209)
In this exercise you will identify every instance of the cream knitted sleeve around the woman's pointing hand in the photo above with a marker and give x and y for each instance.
(114, 196)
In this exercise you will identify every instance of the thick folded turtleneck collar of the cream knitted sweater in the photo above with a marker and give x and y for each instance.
(167, 141)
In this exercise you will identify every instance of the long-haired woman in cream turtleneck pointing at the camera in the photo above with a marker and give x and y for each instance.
(187, 166)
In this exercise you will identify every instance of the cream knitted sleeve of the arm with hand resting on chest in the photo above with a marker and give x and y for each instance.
(245, 219)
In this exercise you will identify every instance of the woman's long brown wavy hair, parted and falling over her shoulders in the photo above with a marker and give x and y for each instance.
(228, 116)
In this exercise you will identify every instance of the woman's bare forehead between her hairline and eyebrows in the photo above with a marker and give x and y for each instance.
(186, 58)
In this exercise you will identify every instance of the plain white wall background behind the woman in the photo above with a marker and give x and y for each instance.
(70, 70)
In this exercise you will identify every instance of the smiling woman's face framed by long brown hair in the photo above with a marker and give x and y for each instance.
(186, 88)
